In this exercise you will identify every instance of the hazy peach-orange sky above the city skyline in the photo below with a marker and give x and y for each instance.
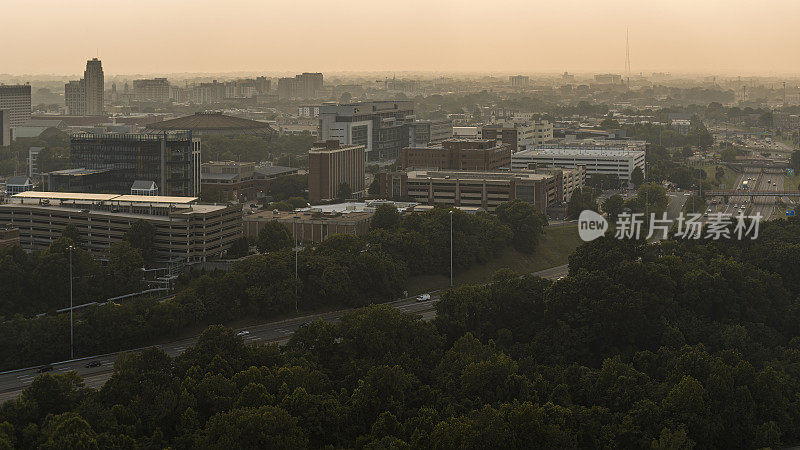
(164, 36)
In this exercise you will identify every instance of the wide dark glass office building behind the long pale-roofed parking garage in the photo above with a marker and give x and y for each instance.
(170, 159)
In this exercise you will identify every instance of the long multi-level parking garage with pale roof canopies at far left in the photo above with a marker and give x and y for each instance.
(185, 230)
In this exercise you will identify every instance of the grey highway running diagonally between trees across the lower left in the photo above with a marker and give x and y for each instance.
(13, 382)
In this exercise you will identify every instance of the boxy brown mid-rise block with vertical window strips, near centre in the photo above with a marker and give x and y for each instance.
(331, 164)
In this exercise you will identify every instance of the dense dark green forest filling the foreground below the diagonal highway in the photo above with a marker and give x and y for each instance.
(675, 344)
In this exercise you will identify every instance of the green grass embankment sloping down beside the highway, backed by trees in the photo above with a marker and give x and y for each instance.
(554, 249)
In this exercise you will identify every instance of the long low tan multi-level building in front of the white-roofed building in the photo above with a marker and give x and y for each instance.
(485, 190)
